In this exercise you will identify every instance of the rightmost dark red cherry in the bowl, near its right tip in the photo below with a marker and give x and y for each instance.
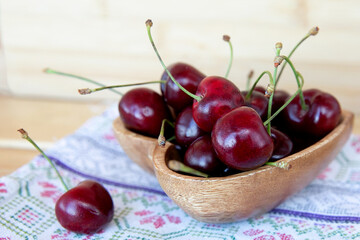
(321, 116)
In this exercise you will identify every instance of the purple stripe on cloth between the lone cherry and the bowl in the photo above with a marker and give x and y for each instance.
(123, 185)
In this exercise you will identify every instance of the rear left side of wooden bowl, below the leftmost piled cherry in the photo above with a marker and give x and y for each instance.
(138, 147)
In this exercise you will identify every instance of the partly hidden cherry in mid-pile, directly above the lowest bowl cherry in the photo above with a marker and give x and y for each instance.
(186, 129)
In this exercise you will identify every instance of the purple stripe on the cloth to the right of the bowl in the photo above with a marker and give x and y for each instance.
(316, 216)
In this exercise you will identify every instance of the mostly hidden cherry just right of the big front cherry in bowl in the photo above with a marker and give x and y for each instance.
(283, 145)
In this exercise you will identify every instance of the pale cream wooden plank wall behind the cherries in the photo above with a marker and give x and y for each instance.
(106, 40)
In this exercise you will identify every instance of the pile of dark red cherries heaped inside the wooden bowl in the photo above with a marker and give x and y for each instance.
(220, 130)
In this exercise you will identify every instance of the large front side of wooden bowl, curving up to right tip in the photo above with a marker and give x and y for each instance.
(251, 193)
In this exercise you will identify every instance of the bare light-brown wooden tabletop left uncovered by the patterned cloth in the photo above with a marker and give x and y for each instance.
(46, 121)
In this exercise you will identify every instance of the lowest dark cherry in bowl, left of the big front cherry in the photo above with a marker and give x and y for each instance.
(201, 156)
